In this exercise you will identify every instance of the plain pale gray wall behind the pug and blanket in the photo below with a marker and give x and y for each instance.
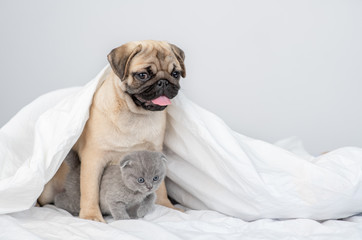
(270, 69)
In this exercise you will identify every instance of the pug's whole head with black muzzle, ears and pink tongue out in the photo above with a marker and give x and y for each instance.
(149, 71)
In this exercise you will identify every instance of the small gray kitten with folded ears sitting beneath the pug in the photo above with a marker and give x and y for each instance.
(126, 191)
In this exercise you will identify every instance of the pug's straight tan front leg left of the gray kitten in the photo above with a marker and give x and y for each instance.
(91, 171)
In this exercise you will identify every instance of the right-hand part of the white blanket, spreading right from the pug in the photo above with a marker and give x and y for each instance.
(213, 167)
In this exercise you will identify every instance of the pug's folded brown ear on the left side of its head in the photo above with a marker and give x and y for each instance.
(120, 58)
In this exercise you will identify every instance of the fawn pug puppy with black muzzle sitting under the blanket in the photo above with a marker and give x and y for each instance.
(127, 114)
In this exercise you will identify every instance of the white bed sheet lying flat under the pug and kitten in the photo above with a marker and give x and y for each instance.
(166, 224)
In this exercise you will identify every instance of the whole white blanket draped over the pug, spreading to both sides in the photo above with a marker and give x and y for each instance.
(210, 165)
